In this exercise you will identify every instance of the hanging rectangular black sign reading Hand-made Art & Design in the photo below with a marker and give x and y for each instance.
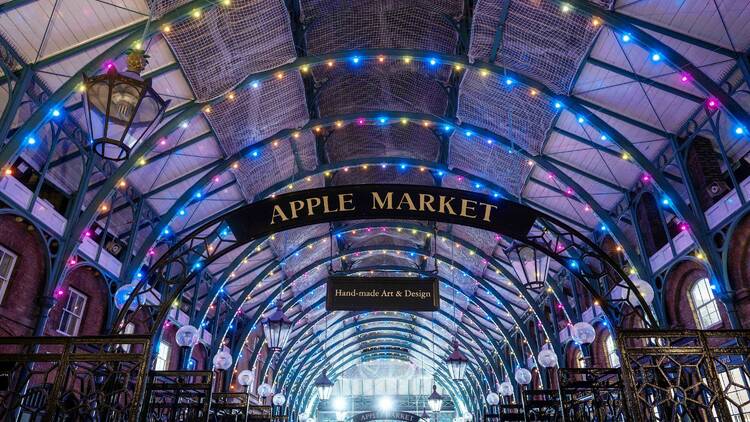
(382, 294)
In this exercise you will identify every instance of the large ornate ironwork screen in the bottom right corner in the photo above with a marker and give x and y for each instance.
(687, 374)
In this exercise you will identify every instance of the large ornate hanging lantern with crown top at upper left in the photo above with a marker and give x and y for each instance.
(121, 108)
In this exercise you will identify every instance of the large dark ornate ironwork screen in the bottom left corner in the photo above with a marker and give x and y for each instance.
(83, 378)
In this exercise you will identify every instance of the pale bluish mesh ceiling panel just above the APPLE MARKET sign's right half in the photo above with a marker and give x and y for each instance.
(490, 161)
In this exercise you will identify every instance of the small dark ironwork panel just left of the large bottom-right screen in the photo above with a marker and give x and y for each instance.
(592, 394)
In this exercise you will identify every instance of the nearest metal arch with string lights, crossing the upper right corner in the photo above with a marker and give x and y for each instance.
(678, 61)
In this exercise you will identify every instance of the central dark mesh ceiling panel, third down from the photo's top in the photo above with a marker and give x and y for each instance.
(354, 141)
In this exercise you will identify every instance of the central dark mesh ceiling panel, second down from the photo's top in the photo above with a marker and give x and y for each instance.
(387, 86)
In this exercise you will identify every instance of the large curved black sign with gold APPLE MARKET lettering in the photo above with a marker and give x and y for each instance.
(367, 202)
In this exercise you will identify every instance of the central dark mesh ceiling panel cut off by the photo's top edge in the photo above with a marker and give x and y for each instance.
(348, 25)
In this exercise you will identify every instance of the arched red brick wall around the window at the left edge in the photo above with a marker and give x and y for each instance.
(19, 308)
